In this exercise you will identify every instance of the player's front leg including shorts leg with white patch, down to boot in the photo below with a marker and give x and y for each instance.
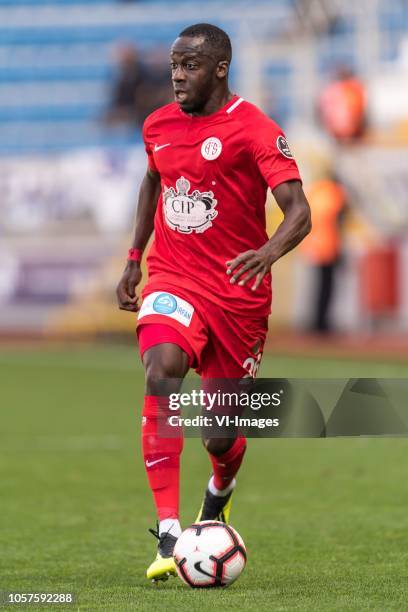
(169, 347)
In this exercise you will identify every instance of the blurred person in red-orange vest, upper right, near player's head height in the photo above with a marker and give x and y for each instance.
(342, 107)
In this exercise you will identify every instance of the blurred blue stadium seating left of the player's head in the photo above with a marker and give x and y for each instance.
(54, 80)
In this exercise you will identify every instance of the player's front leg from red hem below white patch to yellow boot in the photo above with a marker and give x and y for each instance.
(165, 364)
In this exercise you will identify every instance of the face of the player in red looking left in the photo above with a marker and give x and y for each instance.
(194, 73)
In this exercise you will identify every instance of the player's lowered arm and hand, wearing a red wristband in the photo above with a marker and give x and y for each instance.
(146, 208)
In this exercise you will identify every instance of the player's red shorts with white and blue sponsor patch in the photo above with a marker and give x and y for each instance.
(224, 344)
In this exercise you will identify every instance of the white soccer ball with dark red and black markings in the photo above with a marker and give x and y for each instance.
(209, 554)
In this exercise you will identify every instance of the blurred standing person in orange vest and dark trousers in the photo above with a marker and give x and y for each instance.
(322, 247)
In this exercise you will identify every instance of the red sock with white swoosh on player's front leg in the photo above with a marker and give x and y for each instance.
(162, 455)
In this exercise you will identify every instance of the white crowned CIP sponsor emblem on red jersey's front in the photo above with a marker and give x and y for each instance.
(187, 212)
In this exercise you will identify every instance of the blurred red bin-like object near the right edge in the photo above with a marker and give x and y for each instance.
(379, 281)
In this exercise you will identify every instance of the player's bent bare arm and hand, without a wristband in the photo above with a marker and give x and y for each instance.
(295, 226)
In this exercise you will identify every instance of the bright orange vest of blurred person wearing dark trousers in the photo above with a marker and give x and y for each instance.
(327, 199)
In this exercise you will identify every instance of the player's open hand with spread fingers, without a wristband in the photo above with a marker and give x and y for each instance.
(249, 264)
